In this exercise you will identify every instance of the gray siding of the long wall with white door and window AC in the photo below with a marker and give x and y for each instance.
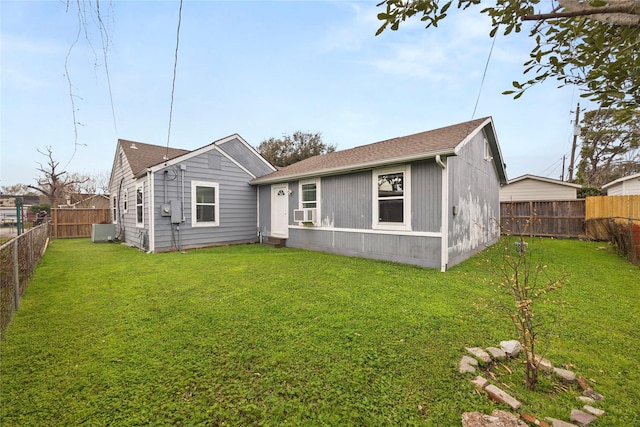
(346, 207)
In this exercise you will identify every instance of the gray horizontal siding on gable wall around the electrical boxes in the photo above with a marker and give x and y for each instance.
(238, 204)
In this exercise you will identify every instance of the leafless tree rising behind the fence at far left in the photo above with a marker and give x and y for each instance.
(54, 184)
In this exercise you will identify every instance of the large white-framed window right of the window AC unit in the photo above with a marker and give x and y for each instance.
(391, 195)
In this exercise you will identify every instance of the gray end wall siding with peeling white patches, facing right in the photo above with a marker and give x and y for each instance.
(474, 190)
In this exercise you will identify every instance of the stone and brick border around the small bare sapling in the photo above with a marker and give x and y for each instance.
(512, 348)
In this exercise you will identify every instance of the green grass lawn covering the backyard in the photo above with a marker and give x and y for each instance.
(251, 335)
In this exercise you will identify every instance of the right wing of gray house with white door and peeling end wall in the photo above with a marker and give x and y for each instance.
(430, 199)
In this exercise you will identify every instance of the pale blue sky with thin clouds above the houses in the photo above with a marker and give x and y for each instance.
(260, 69)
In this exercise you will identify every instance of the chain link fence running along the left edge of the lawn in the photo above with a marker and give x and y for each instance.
(18, 260)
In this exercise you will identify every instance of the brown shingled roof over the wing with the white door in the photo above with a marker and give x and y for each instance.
(445, 141)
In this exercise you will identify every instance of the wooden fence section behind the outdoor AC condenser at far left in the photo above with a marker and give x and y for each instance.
(72, 223)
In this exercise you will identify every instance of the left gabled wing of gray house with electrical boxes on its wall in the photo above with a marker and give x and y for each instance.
(169, 199)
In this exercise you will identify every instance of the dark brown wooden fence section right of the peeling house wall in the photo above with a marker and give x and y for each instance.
(555, 218)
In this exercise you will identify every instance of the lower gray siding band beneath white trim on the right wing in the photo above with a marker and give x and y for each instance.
(418, 250)
